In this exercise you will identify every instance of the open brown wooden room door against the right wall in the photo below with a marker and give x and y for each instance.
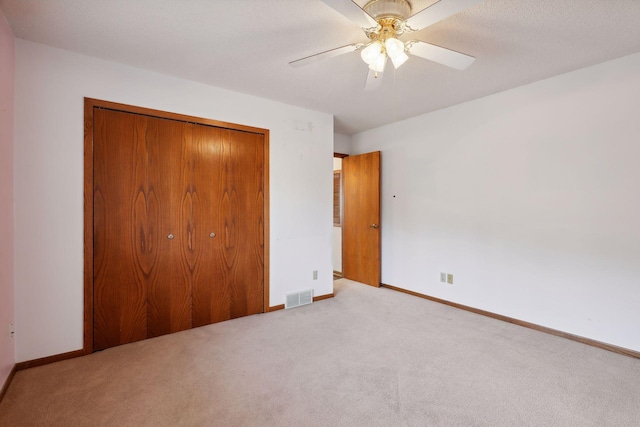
(361, 227)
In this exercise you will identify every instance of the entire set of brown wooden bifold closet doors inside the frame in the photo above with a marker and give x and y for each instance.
(178, 222)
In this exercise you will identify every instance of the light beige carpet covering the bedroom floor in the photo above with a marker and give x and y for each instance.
(368, 357)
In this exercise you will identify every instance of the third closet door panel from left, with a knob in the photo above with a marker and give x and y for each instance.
(211, 297)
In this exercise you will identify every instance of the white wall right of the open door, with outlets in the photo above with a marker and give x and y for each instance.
(530, 198)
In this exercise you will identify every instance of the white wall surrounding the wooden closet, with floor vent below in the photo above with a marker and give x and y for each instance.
(49, 90)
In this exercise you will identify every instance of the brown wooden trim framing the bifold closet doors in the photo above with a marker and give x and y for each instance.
(89, 105)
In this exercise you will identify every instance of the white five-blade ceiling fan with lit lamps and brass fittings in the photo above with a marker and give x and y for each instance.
(383, 21)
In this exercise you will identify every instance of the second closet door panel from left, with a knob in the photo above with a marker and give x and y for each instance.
(169, 213)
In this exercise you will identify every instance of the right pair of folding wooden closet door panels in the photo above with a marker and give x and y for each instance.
(228, 201)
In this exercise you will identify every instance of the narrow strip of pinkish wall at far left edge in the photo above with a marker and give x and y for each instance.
(7, 61)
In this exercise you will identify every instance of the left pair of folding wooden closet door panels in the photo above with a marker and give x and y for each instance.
(142, 284)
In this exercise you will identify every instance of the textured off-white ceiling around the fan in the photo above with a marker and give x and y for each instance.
(246, 45)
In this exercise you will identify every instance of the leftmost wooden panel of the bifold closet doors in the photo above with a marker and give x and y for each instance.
(119, 235)
